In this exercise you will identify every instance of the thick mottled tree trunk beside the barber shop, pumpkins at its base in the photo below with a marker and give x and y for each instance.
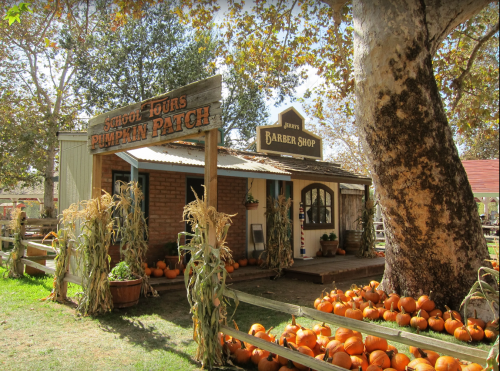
(434, 235)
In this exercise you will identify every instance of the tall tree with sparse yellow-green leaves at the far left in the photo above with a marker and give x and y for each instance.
(36, 71)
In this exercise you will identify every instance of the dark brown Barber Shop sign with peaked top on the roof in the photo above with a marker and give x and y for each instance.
(289, 137)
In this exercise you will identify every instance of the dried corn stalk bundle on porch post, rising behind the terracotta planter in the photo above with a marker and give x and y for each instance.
(133, 231)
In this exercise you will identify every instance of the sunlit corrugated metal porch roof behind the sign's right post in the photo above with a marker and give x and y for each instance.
(191, 155)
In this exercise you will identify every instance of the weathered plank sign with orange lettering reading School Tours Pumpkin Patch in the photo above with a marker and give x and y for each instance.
(182, 113)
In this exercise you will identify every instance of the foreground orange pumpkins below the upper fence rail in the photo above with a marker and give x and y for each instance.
(345, 348)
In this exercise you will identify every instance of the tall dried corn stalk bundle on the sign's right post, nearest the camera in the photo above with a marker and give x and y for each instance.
(205, 288)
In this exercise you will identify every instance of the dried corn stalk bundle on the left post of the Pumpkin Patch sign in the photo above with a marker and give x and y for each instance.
(93, 247)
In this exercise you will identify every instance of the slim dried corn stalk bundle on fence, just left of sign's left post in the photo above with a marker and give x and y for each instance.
(62, 242)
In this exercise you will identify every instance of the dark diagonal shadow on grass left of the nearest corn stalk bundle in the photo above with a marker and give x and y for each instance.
(140, 334)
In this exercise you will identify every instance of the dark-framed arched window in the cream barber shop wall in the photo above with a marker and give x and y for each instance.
(318, 206)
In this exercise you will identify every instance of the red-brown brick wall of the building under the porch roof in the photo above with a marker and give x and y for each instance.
(167, 195)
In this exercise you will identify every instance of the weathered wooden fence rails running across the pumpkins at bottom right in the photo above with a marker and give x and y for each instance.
(459, 351)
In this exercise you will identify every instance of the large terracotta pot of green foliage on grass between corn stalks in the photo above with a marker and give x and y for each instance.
(125, 287)
